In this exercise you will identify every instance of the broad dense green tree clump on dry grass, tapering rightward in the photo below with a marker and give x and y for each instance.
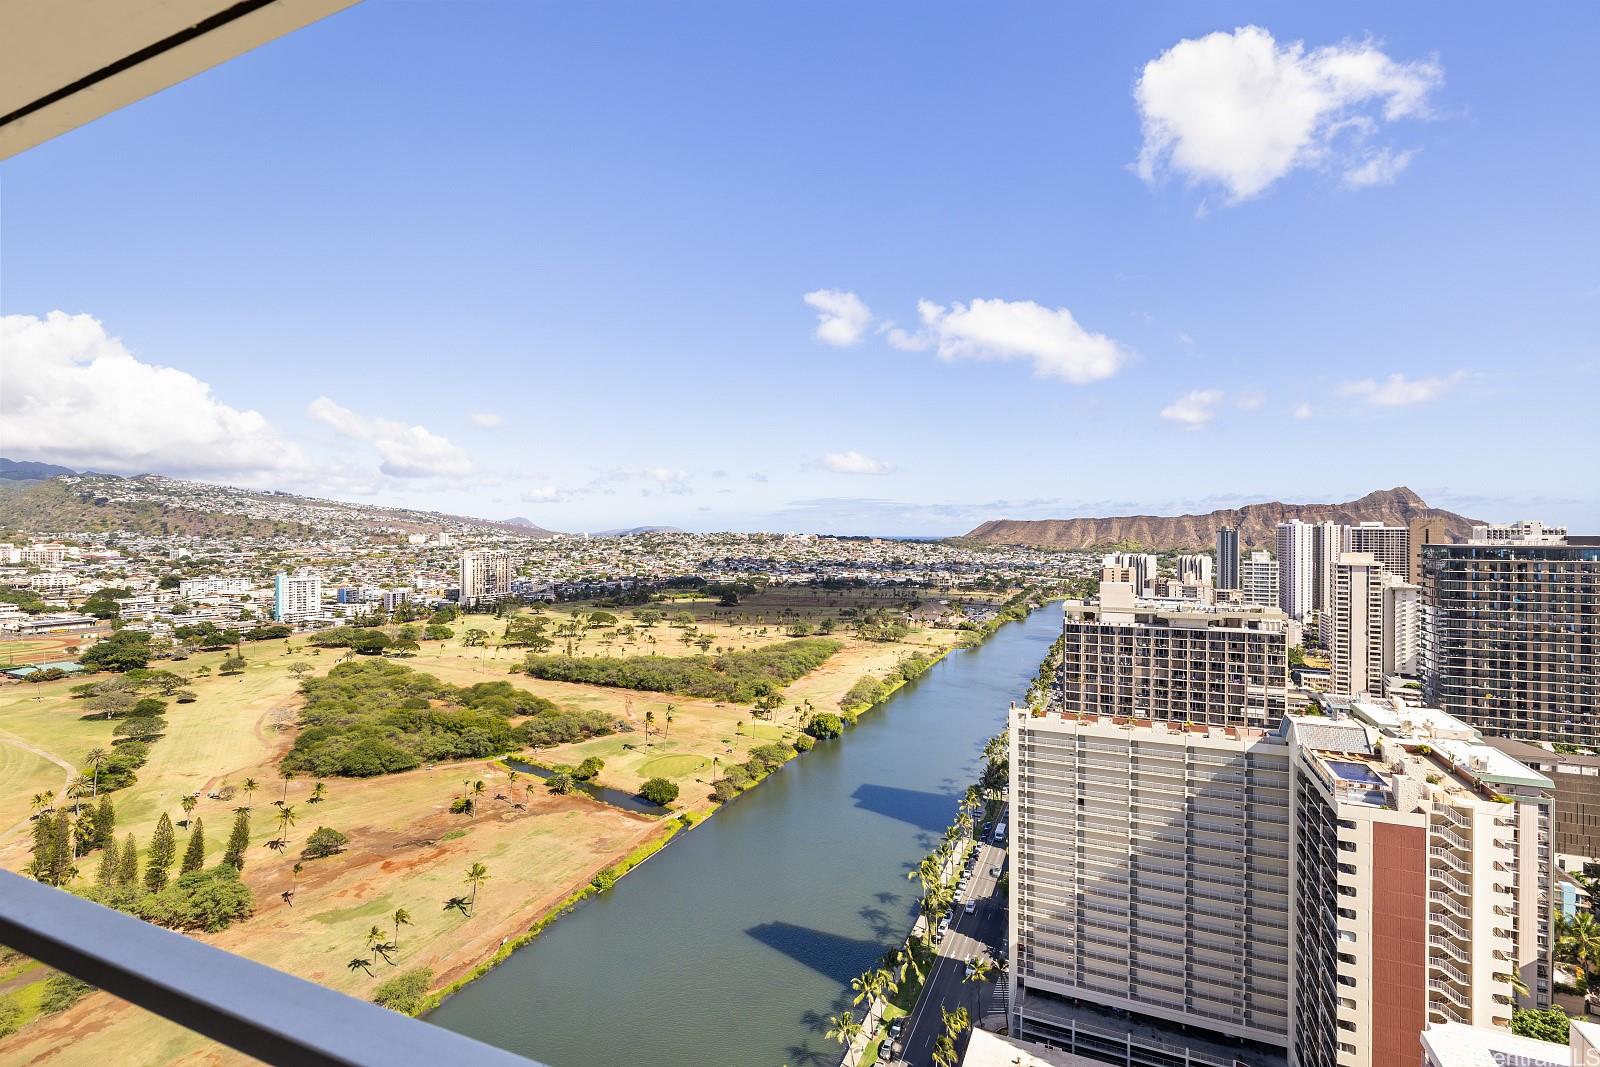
(380, 717)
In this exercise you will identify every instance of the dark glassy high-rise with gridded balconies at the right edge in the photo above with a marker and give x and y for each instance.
(1511, 637)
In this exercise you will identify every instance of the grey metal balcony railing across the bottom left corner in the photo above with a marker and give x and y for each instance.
(246, 1005)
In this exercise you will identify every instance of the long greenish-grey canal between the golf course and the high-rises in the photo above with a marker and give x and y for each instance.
(734, 945)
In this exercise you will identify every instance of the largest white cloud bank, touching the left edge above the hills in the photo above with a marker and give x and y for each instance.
(76, 396)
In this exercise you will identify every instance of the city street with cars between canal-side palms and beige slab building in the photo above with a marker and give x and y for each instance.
(946, 988)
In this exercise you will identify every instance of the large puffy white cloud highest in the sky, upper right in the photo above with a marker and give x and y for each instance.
(1241, 111)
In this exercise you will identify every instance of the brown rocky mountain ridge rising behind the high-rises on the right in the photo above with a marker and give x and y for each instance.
(1198, 532)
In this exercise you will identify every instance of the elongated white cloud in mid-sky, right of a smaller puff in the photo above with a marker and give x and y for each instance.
(1018, 330)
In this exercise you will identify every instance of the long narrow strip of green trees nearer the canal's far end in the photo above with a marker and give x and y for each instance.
(743, 677)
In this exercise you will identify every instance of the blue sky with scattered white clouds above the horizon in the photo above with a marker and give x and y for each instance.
(553, 260)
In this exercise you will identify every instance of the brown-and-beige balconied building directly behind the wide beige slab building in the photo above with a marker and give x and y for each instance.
(1207, 665)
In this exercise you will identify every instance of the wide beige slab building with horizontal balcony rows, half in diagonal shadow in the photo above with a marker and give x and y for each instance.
(1151, 874)
